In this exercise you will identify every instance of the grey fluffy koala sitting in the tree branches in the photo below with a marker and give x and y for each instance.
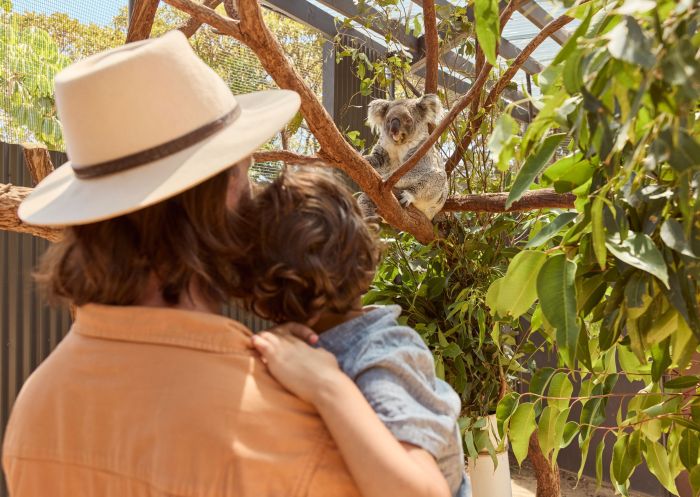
(402, 126)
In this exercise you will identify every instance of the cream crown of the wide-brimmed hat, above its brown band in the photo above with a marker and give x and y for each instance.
(135, 97)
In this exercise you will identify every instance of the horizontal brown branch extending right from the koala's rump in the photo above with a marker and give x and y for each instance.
(496, 202)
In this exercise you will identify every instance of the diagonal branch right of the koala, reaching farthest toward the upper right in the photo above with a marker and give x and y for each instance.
(501, 85)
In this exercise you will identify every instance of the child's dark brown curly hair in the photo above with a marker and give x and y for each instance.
(306, 246)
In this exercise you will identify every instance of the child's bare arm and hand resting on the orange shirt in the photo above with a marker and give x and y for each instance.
(379, 464)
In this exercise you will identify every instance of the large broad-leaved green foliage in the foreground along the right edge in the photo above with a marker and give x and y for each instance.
(618, 282)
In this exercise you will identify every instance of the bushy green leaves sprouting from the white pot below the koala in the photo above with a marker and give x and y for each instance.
(441, 289)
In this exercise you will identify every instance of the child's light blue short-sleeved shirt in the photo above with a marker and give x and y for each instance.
(395, 371)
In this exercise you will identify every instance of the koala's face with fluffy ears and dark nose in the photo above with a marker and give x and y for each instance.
(400, 120)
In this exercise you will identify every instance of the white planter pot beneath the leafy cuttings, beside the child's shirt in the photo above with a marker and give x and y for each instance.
(486, 480)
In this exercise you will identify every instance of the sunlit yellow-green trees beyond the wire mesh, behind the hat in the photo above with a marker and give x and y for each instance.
(39, 45)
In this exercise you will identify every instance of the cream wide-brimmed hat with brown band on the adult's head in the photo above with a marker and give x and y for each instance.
(144, 122)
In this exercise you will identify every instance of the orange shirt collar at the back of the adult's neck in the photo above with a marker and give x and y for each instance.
(164, 326)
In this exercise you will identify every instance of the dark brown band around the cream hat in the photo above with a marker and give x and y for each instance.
(158, 152)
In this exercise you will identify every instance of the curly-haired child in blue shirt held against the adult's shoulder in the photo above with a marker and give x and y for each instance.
(308, 257)
